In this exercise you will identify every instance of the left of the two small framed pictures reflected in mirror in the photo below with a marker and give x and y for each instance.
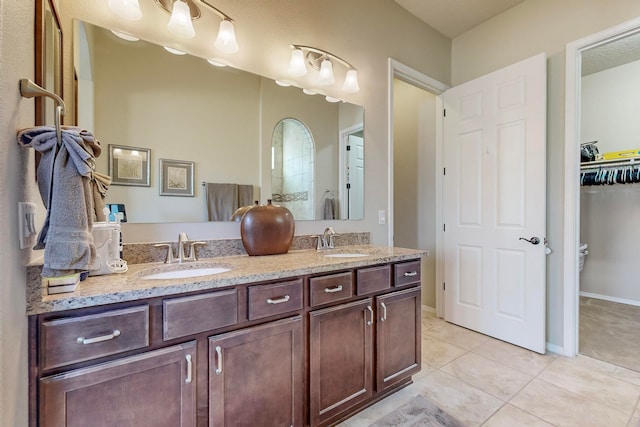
(129, 165)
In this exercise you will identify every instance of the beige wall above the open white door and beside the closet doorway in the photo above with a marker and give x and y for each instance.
(529, 28)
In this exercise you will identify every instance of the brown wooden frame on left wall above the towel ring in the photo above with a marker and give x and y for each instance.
(41, 65)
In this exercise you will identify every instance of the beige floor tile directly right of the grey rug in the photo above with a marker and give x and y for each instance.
(468, 404)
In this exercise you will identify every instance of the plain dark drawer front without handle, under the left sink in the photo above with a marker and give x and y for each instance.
(199, 313)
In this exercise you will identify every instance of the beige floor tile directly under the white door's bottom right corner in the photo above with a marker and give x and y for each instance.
(515, 357)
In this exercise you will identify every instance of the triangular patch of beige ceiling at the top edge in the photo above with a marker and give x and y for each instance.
(454, 17)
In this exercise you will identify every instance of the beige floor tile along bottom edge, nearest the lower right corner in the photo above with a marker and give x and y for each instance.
(561, 407)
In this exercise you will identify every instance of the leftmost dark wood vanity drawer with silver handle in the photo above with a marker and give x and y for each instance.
(76, 339)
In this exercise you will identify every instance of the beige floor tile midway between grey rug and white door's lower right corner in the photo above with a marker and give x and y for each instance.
(496, 379)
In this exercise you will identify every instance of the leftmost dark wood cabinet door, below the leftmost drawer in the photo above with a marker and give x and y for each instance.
(156, 388)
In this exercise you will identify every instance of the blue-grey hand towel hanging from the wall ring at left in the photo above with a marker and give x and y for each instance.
(64, 175)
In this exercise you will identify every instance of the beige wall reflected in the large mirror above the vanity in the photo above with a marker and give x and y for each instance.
(181, 108)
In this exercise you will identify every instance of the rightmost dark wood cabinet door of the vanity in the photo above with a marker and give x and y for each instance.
(398, 336)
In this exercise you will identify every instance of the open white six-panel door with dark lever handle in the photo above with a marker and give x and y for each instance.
(495, 194)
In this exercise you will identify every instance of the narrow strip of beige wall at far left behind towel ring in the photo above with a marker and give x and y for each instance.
(16, 184)
